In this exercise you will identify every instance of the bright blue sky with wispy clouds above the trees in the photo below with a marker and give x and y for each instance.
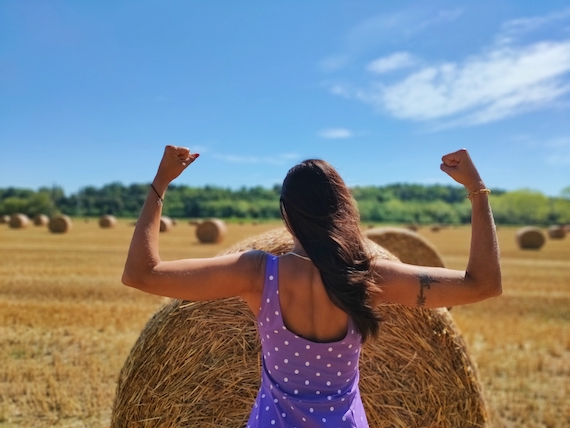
(90, 92)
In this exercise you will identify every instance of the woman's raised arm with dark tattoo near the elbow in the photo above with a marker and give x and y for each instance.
(438, 287)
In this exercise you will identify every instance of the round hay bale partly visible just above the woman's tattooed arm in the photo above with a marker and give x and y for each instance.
(410, 247)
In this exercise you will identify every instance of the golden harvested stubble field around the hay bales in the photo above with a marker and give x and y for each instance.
(67, 324)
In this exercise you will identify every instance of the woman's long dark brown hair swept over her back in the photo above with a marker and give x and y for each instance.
(319, 210)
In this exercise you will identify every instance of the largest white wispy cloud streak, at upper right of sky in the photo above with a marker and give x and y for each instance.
(504, 81)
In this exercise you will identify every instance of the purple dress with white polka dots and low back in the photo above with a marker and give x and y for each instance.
(303, 383)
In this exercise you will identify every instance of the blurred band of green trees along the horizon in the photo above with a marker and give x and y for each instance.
(394, 203)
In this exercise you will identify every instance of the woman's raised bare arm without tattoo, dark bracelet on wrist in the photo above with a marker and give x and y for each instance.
(187, 279)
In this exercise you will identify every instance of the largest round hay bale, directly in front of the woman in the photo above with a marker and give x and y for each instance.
(197, 364)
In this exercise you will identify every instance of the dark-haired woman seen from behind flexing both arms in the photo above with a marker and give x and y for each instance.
(315, 306)
